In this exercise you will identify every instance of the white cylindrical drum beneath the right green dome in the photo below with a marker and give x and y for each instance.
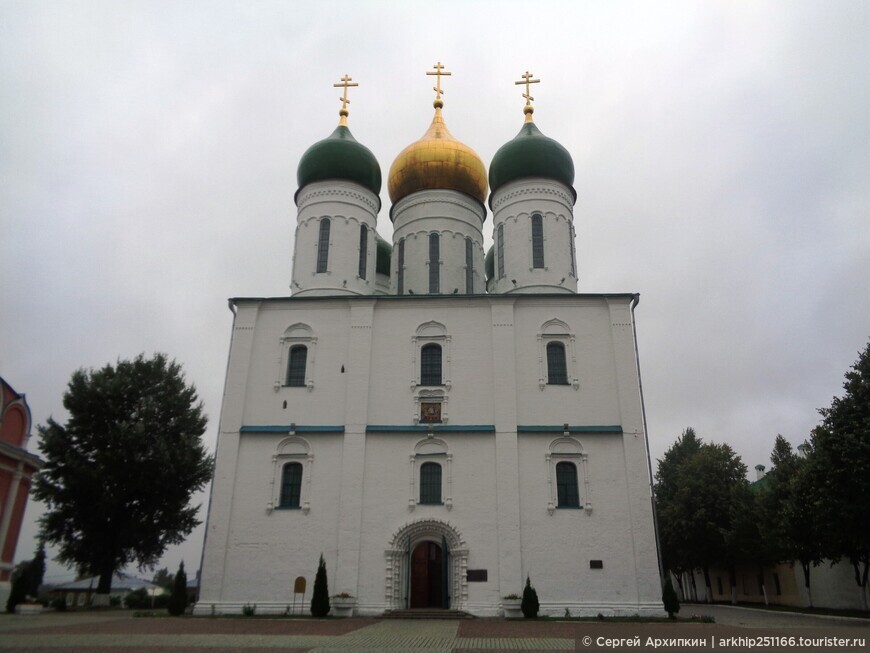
(513, 205)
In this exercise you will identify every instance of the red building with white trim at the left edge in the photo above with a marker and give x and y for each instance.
(16, 469)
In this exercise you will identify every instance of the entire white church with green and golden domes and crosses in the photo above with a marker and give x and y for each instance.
(438, 422)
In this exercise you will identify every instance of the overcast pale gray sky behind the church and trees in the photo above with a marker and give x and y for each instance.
(148, 156)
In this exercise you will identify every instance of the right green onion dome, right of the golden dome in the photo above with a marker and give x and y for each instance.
(531, 154)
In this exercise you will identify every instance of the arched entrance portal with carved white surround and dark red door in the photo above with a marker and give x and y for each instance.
(427, 563)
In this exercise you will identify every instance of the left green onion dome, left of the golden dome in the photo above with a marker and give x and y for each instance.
(340, 156)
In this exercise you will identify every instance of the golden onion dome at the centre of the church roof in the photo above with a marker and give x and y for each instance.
(437, 161)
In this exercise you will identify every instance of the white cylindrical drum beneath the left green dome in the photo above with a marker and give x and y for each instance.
(347, 206)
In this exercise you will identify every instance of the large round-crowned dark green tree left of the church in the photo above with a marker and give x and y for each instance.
(120, 473)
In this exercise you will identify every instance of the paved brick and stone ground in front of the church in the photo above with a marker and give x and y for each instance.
(119, 632)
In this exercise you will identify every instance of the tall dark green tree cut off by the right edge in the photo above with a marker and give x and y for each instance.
(839, 462)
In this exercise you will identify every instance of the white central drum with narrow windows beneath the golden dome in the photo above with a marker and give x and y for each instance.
(453, 215)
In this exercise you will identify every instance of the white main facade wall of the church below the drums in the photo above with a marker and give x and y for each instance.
(354, 428)
